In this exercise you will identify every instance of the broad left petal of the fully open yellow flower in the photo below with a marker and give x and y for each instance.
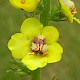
(19, 45)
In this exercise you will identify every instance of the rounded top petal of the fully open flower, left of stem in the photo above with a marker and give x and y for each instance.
(31, 27)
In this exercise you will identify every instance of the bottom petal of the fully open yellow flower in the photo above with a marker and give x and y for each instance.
(33, 61)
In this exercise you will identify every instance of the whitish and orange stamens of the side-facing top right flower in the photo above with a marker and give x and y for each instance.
(71, 6)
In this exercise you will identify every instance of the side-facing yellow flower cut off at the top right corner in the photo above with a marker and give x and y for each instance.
(69, 10)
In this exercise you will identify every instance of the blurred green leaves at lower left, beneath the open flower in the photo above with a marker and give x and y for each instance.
(19, 68)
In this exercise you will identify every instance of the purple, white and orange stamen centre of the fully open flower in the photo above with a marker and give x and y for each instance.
(39, 46)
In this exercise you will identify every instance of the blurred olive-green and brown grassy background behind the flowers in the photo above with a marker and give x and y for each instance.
(67, 69)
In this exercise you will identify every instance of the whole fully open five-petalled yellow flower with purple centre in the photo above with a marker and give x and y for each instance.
(36, 45)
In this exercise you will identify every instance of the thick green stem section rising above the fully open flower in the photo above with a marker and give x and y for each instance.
(44, 16)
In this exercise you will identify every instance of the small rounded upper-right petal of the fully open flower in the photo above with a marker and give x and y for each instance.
(50, 33)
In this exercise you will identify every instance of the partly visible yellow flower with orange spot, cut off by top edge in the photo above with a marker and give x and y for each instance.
(27, 5)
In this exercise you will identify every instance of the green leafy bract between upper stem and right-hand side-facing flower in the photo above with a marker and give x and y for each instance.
(56, 14)
